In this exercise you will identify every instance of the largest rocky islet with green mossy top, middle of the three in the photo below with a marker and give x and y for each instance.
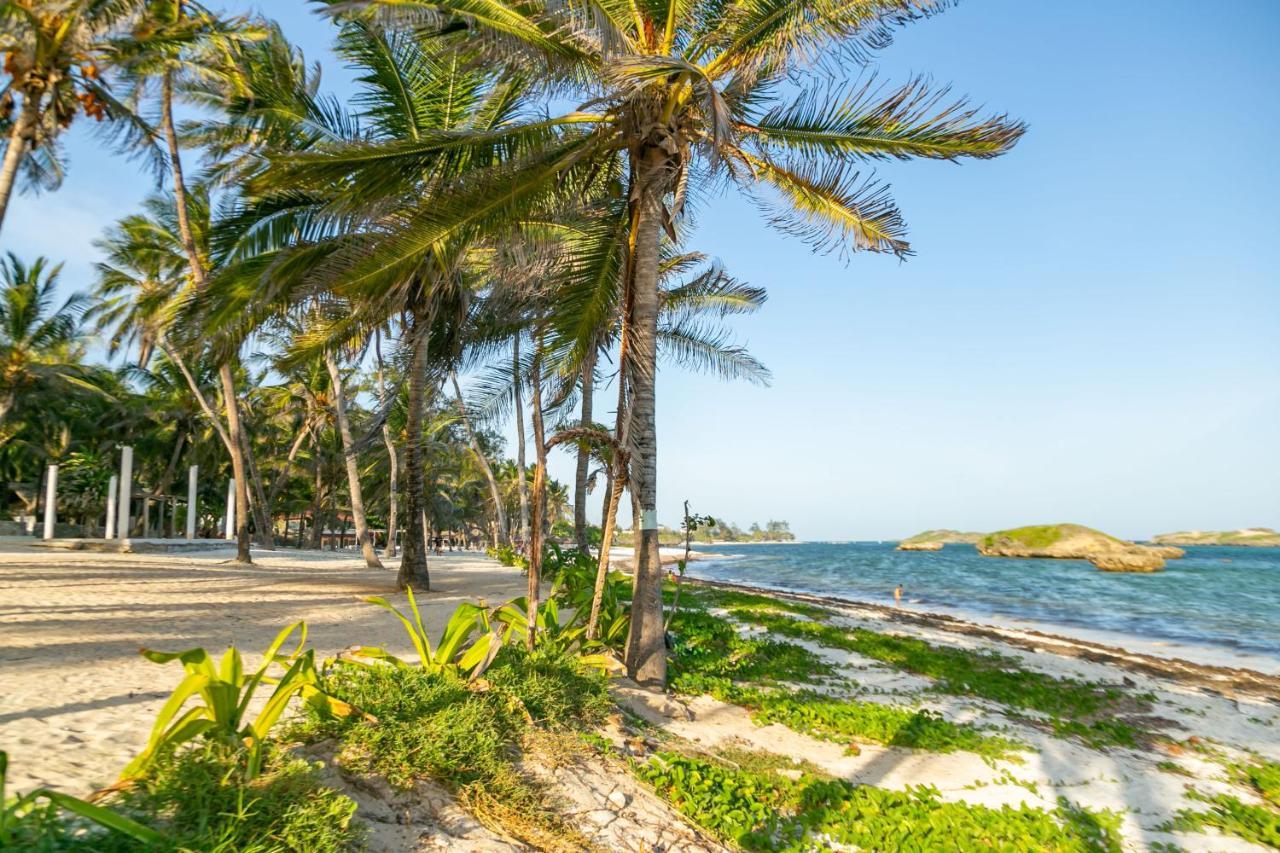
(1077, 542)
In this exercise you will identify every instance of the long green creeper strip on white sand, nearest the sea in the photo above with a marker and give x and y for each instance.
(1085, 710)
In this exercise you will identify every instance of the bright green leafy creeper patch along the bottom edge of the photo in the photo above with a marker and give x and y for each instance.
(762, 810)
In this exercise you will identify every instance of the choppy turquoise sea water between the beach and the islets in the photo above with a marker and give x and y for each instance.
(1228, 599)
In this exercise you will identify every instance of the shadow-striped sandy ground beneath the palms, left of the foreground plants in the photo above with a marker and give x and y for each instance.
(77, 701)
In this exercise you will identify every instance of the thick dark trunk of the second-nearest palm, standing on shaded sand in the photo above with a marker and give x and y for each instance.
(414, 571)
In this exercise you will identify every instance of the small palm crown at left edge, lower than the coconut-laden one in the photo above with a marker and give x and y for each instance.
(42, 341)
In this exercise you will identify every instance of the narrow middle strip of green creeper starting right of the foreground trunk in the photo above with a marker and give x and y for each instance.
(851, 722)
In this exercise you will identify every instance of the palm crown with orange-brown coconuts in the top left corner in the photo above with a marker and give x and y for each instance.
(56, 60)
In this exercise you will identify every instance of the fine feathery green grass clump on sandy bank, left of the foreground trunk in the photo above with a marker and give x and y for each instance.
(463, 736)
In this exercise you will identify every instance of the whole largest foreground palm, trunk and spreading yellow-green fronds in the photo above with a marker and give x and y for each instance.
(684, 94)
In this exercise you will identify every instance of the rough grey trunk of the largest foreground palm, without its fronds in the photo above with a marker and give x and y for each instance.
(647, 653)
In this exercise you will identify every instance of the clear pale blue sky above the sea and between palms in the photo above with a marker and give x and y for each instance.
(1090, 331)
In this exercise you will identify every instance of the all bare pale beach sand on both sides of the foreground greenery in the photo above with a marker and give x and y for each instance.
(79, 701)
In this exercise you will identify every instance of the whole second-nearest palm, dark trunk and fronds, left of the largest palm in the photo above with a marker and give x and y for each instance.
(410, 90)
